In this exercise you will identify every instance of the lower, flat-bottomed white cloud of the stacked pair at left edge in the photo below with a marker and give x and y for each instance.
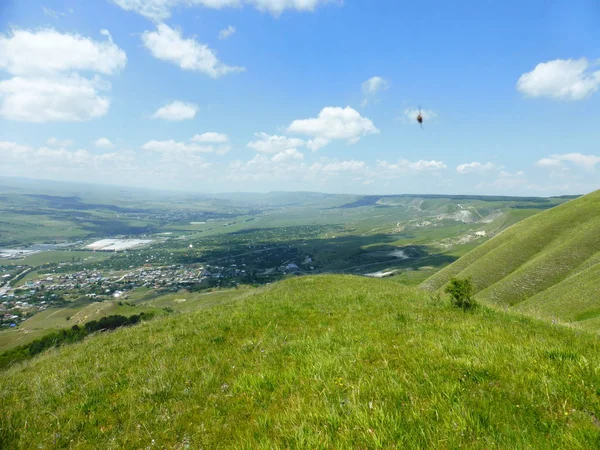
(71, 98)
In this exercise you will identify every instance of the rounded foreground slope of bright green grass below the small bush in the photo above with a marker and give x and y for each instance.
(314, 362)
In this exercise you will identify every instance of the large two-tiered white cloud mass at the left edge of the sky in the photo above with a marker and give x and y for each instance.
(46, 84)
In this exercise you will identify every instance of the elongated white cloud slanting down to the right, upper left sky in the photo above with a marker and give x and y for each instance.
(167, 44)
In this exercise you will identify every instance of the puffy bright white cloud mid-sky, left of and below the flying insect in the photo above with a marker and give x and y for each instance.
(334, 123)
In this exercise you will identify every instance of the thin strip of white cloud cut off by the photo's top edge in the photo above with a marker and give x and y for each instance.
(159, 10)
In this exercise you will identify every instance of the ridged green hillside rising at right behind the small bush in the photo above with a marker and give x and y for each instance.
(548, 264)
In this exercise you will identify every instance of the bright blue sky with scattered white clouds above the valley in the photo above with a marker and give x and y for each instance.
(313, 95)
